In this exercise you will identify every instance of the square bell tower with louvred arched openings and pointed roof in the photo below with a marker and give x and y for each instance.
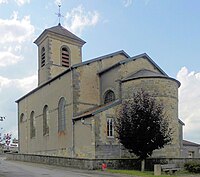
(58, 50)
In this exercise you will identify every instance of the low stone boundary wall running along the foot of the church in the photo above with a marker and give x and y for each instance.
(93, 164)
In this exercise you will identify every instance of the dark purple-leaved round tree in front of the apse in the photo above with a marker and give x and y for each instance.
(141, 126)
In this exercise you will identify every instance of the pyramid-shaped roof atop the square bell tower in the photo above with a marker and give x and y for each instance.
(60, 30)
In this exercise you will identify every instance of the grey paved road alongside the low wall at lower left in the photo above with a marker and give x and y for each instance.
(23, 169)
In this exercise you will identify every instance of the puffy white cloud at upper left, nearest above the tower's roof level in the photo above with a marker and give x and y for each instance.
(15, 30)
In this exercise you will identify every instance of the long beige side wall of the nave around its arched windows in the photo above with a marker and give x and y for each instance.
(55, 142)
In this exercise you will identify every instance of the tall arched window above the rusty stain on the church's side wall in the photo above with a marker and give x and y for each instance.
(61, 115)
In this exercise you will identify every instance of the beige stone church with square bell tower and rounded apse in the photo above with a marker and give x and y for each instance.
(71, 113)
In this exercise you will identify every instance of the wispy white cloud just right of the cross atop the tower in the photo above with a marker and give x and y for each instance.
(78, 19)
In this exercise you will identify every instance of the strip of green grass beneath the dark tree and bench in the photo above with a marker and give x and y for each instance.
(150, 173)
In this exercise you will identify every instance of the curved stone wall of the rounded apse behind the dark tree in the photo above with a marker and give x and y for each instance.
(165, 91)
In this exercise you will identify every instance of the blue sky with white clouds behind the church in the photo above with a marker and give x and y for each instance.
(168, 31)
